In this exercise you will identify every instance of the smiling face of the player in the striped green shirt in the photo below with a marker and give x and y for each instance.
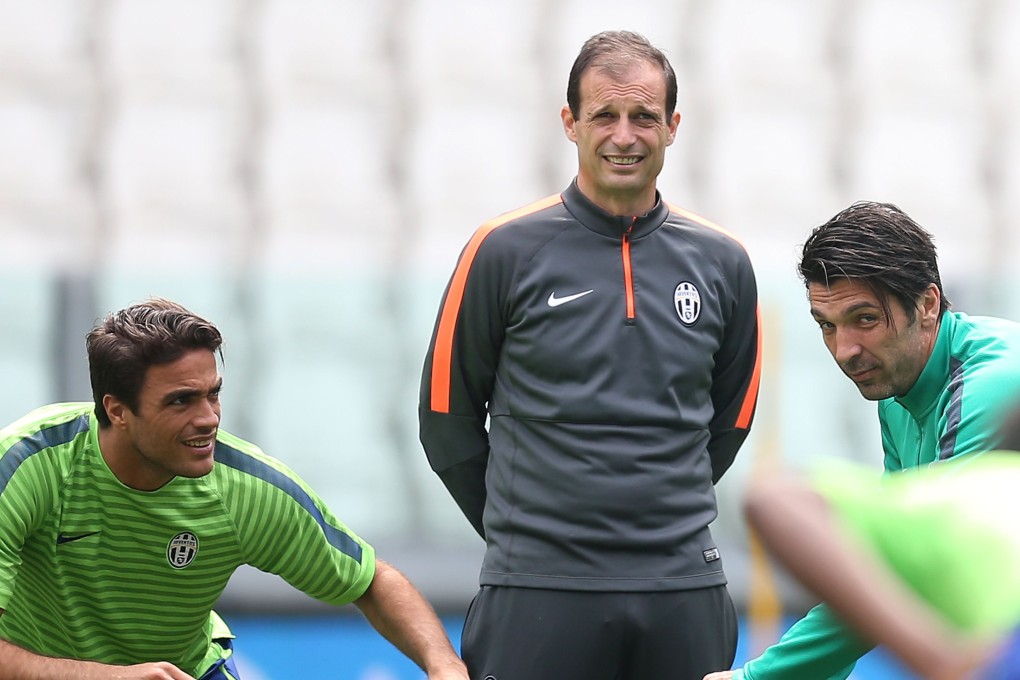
(174, 432)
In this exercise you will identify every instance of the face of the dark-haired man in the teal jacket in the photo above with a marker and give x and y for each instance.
(883, 354)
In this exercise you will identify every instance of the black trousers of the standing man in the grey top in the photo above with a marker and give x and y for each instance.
(515, 634)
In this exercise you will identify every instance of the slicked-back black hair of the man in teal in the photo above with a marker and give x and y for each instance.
(880, 245)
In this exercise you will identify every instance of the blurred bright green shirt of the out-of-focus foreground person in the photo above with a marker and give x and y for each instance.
(950, 532)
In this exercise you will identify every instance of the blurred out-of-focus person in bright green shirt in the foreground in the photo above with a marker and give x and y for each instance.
(924, 562)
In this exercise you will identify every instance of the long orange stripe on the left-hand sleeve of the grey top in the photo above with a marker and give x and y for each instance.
(443, 352)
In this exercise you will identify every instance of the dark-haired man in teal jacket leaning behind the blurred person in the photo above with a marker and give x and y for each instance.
(942, 379)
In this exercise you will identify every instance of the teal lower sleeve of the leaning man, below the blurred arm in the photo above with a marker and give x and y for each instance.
(817, 648)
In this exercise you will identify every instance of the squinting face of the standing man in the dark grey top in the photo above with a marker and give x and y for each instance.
(622, 132)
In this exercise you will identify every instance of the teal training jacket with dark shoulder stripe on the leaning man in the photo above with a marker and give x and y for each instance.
(954, 409)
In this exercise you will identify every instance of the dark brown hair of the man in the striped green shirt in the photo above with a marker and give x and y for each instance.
(126, 344)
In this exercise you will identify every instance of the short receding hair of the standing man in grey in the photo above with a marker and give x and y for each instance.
(615, 50)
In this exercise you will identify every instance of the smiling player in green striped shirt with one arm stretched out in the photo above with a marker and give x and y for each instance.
(123, 520)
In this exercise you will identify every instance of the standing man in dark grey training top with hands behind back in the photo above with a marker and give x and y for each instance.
(613, 343)
